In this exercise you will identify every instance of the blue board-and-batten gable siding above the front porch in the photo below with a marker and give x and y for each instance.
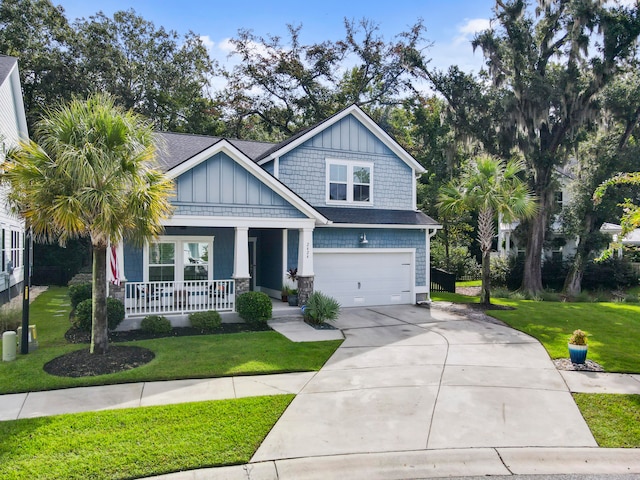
(221, 187)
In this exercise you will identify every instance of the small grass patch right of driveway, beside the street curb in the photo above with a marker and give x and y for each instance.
(614, 420)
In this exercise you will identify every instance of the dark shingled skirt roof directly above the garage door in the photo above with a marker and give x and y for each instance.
(367, 216)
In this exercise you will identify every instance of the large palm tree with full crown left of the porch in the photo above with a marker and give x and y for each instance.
(92, 174)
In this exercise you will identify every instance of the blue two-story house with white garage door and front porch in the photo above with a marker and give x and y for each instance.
(337, 202)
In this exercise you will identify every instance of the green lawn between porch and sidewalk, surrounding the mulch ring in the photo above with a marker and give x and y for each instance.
(252, 353)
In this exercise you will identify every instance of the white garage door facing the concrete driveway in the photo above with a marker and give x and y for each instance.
(364, 278)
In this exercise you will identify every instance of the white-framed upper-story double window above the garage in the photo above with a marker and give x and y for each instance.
(349, 182)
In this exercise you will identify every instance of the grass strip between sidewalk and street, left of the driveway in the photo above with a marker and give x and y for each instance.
(138, 442)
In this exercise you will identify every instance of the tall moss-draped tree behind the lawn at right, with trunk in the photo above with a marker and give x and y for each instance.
(547, 66)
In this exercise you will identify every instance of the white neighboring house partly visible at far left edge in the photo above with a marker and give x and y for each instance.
(13, 127)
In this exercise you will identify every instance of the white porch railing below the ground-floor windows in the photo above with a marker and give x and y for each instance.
(162, 298)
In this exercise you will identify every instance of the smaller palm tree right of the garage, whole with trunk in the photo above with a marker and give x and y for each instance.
(489, 186)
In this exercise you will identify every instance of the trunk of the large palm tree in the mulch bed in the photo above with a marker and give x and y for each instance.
(99, 331)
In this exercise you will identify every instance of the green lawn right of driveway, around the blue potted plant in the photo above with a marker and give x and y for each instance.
(613, 328)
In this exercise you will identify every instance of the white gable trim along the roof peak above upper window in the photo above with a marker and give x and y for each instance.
(301, 137)
